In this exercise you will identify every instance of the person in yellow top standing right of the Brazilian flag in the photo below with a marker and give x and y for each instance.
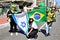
(50, 17)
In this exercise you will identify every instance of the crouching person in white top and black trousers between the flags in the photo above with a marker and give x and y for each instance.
(33, 29)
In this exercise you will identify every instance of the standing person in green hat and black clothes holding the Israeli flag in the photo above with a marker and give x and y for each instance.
(13, 27)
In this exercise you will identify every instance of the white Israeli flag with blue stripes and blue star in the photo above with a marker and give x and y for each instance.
(22, 21)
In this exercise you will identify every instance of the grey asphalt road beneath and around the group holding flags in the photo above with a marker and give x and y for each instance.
(54, 33)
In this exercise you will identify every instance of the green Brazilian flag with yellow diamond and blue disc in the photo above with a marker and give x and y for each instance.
(38, 14)
